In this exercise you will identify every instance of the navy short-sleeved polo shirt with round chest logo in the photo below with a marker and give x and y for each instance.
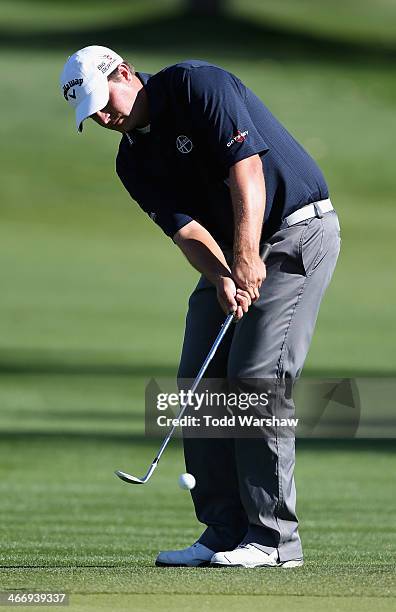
(203, 120)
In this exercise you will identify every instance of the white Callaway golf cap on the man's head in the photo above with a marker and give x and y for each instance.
(84, 80)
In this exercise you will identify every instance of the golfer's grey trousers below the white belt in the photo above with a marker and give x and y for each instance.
(245, 491)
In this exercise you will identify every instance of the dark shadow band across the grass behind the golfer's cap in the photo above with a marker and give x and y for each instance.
(231, 36)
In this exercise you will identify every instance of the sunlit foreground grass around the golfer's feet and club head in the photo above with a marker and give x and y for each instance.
(67, 523)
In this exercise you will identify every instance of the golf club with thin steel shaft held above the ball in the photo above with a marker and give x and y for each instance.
(223, 330)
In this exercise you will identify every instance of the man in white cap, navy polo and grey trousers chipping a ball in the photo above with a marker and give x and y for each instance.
(208, 162)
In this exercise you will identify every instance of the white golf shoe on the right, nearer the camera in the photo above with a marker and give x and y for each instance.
(247, 555)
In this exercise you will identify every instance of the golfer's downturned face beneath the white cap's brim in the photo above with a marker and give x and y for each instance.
(117, 114)
